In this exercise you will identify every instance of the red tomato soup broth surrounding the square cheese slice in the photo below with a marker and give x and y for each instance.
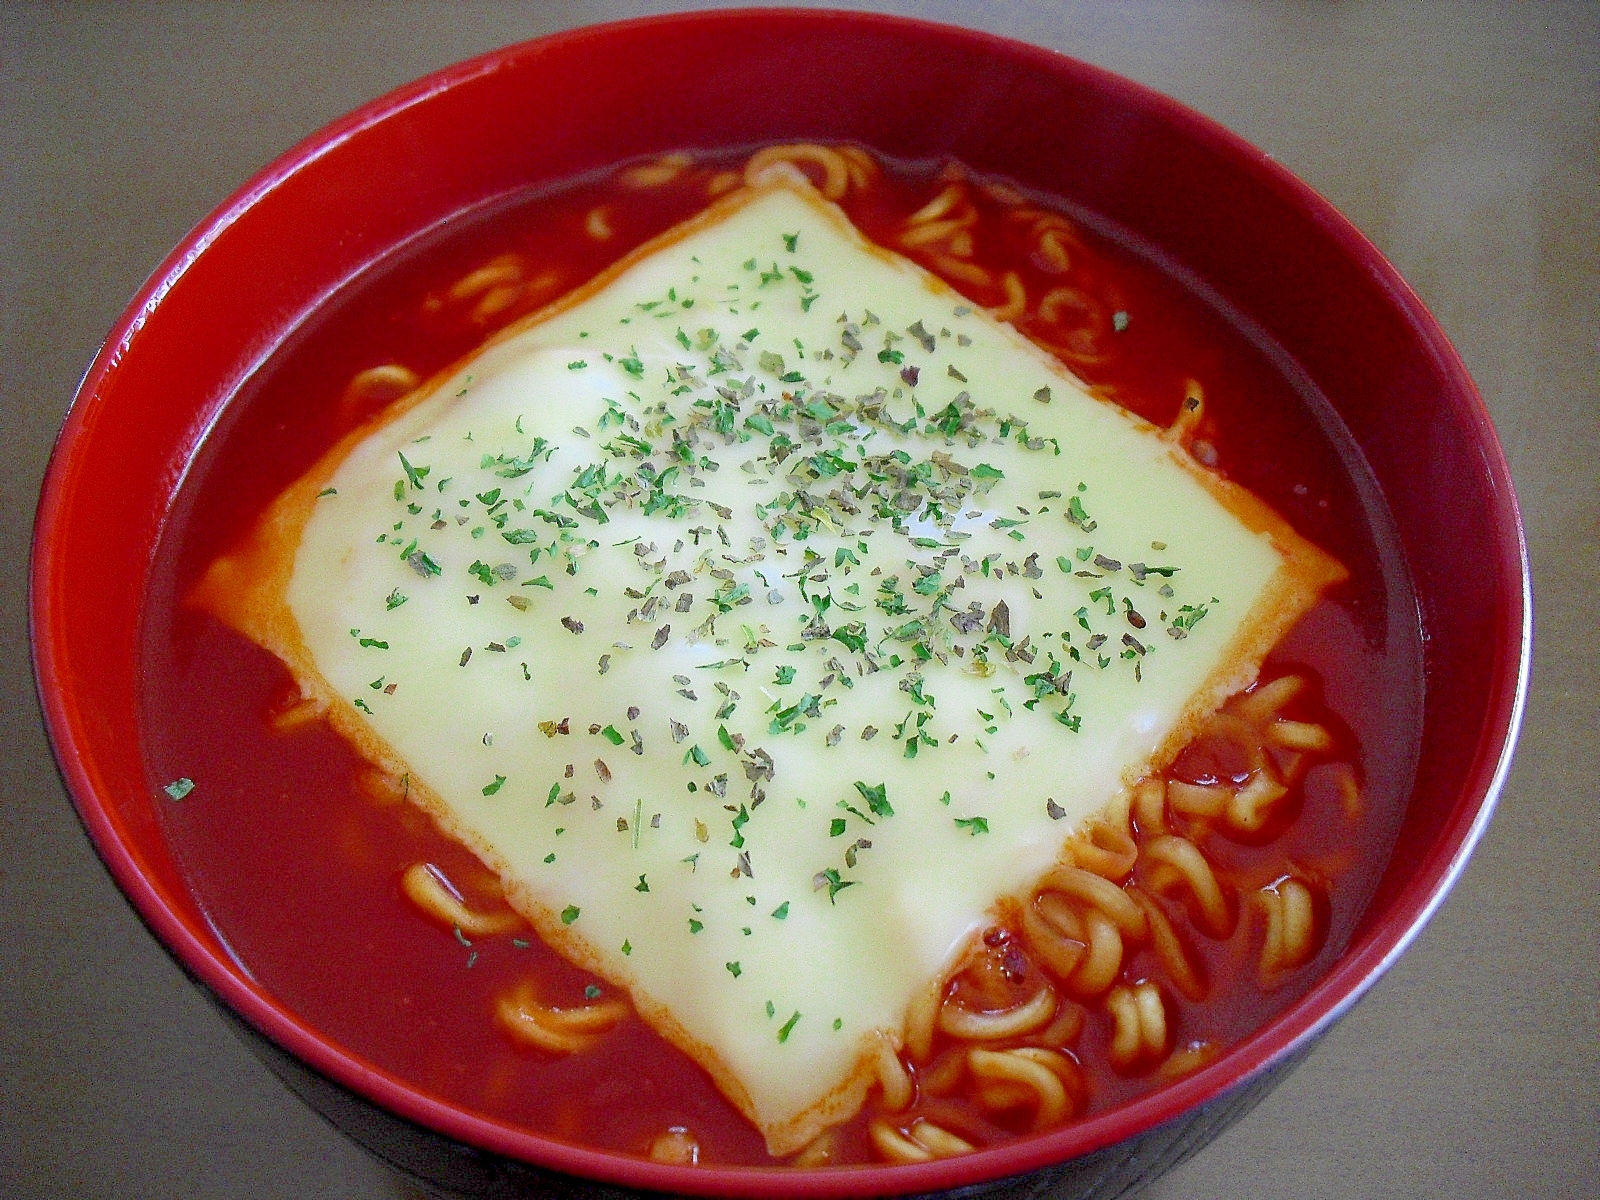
(297, 854)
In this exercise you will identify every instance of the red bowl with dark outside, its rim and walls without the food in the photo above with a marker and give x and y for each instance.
(1266, 247)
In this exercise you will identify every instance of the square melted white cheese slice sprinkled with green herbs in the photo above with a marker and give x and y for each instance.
(766, 617)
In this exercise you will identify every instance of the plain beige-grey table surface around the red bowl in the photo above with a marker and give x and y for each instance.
(1463, 138)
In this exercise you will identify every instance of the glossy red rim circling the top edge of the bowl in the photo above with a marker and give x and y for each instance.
(1358, 969)
